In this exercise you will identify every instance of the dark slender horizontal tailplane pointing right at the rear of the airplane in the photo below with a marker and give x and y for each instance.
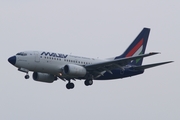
(150, 65)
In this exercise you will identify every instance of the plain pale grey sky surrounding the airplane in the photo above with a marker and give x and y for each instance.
(96, 28)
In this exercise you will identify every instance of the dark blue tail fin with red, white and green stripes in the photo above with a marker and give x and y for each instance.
(137, 47)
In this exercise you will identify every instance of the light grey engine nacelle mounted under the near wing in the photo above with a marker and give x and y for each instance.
(74, 70)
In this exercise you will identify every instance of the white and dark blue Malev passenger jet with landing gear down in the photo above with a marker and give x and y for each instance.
(49, 66)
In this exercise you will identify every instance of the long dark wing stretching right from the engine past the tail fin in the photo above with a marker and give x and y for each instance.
(102, 67)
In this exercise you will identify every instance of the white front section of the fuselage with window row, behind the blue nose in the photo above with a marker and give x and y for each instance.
(48, 62)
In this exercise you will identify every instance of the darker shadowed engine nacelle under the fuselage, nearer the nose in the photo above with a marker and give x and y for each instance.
(43, 77)
